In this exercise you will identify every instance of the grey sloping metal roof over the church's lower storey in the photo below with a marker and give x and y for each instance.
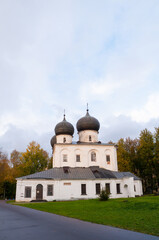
(79, 173)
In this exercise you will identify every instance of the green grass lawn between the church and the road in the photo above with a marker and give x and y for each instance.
(138, 214)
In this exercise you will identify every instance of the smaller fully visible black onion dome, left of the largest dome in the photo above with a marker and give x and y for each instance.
(64, 127)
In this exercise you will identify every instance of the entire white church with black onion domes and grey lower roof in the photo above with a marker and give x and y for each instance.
(80, 169)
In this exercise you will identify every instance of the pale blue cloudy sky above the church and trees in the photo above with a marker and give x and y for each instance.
(57, 55)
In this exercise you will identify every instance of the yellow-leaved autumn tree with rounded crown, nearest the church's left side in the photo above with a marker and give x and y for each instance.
(35, 159)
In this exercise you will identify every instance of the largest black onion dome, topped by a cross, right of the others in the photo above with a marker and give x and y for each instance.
(87, 123)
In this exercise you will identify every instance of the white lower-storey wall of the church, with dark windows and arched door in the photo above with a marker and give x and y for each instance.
(71, 189)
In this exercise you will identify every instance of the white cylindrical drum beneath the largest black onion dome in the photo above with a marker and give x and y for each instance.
(84, 136)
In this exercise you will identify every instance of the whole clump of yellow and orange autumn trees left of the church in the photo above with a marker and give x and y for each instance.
(35, 159)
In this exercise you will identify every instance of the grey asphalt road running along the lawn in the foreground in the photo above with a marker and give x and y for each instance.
(19, 223)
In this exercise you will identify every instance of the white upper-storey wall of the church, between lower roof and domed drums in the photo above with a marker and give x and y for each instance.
(84, 151)
